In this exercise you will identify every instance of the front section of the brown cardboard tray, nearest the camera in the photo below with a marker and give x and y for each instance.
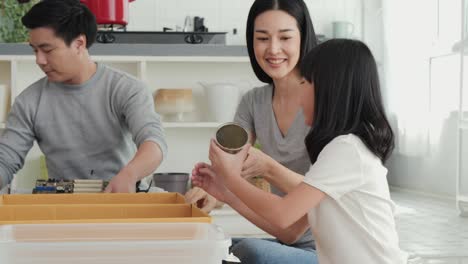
(101, 213)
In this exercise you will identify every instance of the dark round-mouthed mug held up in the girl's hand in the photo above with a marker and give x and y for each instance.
(231, 137)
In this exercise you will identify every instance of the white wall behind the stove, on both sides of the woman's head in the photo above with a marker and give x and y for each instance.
(225, 15)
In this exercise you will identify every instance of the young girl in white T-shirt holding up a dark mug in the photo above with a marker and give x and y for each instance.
(344, 196)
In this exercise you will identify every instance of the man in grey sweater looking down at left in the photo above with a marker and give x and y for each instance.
(85, 116)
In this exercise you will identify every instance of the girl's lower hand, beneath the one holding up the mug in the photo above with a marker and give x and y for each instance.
(205, 178)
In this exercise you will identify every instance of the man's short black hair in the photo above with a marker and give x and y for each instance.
(68, 18)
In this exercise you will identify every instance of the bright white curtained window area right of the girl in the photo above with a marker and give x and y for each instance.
(421, 91)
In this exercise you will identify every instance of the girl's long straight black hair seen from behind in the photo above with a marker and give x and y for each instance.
(347, 97)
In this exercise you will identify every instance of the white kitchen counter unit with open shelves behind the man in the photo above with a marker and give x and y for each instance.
(159, 66)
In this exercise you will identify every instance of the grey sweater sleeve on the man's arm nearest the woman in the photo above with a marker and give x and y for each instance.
(144, 123)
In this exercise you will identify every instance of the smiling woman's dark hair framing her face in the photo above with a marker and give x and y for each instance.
(295, 8)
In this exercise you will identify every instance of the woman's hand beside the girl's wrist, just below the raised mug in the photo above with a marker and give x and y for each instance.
(256, 164)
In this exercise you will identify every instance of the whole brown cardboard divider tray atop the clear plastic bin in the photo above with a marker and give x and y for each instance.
(98, 208)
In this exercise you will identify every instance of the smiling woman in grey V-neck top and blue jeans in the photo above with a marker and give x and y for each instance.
(279, 34)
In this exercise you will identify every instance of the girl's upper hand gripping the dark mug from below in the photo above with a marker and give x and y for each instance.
(224, 164)
